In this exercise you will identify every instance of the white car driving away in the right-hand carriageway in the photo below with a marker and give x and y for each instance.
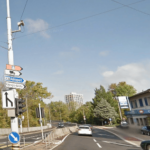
(84, 130)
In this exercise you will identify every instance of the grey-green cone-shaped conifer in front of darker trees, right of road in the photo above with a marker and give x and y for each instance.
(104, 110)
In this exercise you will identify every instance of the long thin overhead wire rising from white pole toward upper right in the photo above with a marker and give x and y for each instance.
(79, 19)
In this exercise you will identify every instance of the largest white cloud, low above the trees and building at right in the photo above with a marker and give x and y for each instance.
(136, 74)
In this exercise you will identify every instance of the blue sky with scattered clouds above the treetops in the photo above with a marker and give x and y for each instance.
(87, 43)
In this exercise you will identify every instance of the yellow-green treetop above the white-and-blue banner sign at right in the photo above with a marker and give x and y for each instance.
(122, 89)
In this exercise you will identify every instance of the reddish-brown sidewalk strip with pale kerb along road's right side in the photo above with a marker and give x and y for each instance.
(123, 134)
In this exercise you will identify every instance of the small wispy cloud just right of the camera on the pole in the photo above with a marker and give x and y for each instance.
(37, 25)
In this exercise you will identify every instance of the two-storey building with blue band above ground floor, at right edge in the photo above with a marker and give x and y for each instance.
(140, 110)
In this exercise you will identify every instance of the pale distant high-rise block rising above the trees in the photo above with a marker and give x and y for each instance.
(74, 97)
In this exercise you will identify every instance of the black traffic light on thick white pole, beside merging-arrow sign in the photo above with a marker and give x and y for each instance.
(20, 106)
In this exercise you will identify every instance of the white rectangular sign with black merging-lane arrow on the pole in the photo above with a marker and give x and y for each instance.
(8, 99)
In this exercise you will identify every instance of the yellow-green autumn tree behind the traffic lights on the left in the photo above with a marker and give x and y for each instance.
(34, 93)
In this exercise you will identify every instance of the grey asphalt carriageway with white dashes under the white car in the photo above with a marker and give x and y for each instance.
(101, 139)
